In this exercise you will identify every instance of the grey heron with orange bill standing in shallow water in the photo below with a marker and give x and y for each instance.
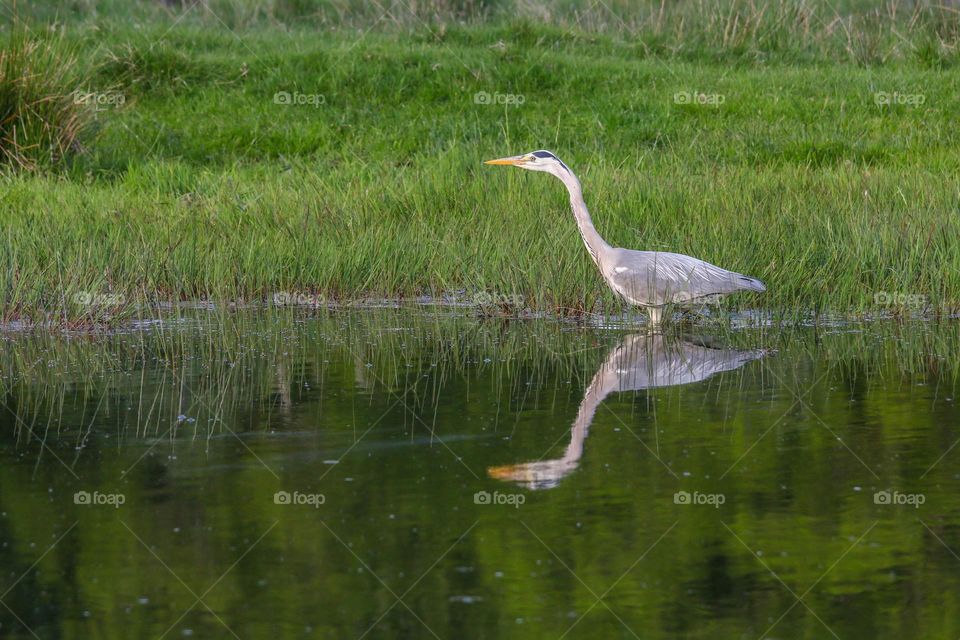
(648, 279)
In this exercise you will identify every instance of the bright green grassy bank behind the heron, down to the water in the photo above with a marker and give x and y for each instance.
(235, 164)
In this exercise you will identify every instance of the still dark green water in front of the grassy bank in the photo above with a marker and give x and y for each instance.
(411, 474)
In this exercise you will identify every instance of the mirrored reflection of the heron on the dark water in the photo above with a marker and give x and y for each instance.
(638, 362)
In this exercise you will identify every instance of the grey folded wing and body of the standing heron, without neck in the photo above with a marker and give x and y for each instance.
(656, 277)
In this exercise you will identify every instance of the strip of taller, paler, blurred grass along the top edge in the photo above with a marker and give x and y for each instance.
(860, 31)
